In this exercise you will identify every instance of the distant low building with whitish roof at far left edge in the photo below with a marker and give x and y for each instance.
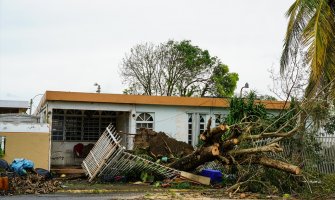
(9, 106)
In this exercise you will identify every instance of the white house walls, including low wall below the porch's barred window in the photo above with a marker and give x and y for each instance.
(173, 120)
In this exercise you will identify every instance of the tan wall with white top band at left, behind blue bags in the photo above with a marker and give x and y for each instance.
(30, 141)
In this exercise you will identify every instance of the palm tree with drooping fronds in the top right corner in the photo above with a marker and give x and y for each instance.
(311, 29)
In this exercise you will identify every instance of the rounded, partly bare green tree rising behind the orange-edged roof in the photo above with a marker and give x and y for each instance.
(176, 69)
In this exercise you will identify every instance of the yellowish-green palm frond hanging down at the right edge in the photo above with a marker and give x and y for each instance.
(318, 39)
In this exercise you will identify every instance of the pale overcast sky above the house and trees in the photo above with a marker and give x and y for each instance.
(69, 45)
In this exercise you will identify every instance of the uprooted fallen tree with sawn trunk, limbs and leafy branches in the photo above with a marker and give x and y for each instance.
(252, 139)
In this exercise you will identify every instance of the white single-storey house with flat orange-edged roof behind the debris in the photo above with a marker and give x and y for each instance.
(77, 117)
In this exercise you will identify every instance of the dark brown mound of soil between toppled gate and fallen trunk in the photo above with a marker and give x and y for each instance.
(160, 144)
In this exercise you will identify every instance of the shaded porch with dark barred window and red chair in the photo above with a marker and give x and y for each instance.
(74, 133)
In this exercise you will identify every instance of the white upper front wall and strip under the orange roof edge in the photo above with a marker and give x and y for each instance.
(169, 119)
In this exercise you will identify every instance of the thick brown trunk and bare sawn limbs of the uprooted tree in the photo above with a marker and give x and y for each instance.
(229, 146)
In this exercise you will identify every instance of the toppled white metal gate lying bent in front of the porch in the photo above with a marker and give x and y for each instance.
(108, 157)
